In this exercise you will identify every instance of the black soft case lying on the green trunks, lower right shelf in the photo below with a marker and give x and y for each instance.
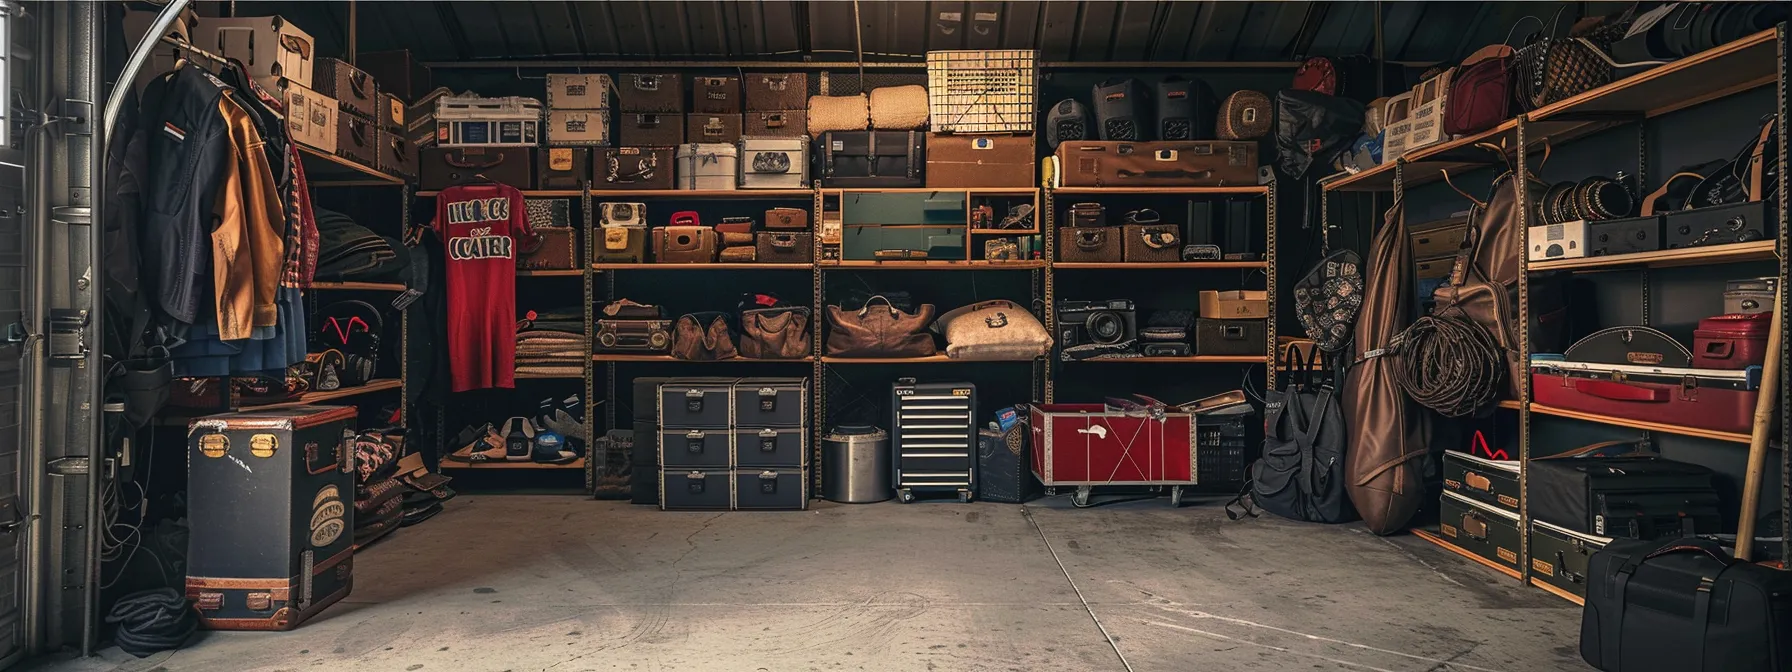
(1637, 497)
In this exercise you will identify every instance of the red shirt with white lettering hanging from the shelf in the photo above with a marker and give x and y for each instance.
(483, 228)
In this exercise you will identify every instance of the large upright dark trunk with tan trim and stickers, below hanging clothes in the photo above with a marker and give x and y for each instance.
(282, 485)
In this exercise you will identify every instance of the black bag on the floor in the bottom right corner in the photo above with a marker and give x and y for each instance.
(1685, 607)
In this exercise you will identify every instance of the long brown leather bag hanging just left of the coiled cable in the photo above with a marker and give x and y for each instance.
(1390, 435)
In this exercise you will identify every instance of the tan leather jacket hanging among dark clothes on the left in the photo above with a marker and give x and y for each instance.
(248, 245)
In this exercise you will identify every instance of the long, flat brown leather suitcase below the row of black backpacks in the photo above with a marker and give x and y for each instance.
(1157, 164)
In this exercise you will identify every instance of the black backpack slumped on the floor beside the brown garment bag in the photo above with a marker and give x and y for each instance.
(1302, 472)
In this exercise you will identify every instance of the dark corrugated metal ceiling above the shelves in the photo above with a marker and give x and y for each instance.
(902, 31)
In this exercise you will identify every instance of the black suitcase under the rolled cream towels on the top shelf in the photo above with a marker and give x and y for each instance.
(870, 159)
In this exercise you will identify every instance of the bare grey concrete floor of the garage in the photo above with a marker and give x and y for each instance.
(560, 583)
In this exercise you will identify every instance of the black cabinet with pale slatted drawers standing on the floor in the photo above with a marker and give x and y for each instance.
(935, 438)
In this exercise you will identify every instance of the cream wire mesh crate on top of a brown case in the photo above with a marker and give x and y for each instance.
(981, 90)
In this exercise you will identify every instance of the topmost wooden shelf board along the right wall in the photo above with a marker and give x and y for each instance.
(1714, 74)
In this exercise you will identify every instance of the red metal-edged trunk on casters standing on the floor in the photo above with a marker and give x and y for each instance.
(1101, 445)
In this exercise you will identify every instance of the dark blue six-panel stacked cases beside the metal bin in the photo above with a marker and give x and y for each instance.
(734, 444)
